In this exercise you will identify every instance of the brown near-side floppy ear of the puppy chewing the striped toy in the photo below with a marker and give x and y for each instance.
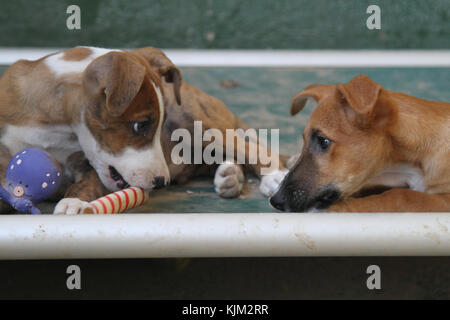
(117, 77)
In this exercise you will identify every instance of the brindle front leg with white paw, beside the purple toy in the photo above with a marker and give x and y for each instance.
(87, 187)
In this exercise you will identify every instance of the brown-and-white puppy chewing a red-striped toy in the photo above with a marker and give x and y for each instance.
(110, 105)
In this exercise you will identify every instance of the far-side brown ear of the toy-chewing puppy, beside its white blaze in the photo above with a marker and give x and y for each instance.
(159, 61)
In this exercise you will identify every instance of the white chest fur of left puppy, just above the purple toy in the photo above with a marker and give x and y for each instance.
(58, 140)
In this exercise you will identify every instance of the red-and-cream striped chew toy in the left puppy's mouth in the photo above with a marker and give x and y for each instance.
(117, 202)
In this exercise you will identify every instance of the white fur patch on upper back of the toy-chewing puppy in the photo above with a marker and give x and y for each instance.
(59, 66)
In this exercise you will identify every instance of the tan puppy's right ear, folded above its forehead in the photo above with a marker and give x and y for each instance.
(365, 106)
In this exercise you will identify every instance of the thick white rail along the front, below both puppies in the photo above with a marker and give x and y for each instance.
(224, 235)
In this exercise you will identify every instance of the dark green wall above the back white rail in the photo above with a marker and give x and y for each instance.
(241, 24)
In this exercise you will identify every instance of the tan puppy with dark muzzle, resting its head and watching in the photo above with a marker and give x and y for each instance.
(362, 136)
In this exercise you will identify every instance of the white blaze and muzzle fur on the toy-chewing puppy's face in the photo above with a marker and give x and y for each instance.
(138, 167)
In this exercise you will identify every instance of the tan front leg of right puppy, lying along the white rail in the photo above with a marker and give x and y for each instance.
(395, 200)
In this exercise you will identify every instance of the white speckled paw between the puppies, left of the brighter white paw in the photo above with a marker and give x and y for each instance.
(229, 180)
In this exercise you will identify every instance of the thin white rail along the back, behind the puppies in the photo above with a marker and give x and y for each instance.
(276, 58)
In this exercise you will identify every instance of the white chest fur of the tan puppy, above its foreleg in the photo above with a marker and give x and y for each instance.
(401, 175)
